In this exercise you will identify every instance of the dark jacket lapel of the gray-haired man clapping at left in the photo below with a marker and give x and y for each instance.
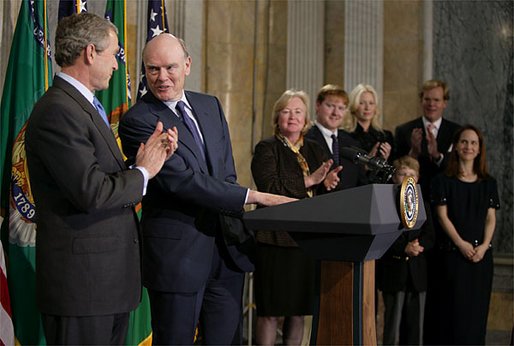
(96, 118)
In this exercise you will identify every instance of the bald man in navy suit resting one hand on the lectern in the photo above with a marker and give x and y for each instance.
(193, 246)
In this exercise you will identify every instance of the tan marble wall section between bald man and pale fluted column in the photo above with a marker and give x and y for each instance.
(245, 62)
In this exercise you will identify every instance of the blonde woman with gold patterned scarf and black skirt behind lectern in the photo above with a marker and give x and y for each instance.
(291, 165)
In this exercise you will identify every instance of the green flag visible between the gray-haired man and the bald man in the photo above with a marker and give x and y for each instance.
(116, 101)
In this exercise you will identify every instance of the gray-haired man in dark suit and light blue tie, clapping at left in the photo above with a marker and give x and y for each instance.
(88, 264)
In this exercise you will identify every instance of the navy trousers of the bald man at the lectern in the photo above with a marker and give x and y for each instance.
(216, 309)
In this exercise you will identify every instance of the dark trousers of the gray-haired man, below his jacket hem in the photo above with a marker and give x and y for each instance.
(86, 330)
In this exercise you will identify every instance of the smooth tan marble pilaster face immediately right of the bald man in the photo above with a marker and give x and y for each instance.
(230, 60)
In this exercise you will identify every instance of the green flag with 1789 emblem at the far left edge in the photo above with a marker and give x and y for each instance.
(27, 78)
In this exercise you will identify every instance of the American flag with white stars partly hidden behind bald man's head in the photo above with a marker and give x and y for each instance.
(157, 24)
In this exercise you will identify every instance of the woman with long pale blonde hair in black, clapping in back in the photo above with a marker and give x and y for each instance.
(365, 125)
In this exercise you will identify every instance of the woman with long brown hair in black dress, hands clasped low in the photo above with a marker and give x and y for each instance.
(466, 199)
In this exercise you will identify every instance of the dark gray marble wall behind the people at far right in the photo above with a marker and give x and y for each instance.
(473, 52)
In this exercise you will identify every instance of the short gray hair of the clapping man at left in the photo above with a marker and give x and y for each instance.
(76, 32)
